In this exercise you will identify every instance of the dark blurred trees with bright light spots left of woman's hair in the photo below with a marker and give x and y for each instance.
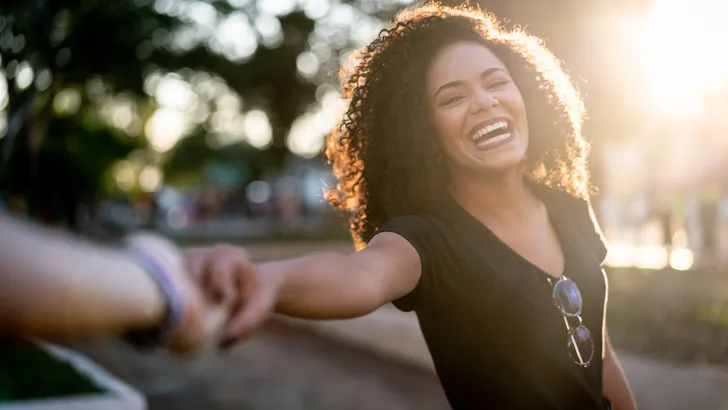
(82, 76)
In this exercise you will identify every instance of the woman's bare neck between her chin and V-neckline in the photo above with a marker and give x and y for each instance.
(503, 197)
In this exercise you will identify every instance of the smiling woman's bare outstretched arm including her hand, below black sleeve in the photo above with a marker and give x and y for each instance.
(318, 286)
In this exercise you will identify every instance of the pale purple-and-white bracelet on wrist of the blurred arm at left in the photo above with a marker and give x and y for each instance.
(162, 260)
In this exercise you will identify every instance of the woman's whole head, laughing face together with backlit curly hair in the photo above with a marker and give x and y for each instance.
(386, 97)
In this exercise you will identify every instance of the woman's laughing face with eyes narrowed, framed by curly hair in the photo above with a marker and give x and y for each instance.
(476, 109)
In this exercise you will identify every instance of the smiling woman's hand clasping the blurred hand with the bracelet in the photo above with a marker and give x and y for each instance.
(227, 274)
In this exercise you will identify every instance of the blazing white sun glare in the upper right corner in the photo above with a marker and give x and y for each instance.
(685, 42)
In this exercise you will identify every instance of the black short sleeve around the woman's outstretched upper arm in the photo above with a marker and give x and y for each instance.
(418, 230)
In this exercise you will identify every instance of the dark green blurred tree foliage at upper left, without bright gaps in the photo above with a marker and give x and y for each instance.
(105, 51)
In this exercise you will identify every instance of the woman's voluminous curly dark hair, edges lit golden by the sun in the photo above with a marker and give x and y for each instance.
(384, 155)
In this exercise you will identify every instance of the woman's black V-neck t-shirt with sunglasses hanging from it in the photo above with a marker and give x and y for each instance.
(496, 338)
